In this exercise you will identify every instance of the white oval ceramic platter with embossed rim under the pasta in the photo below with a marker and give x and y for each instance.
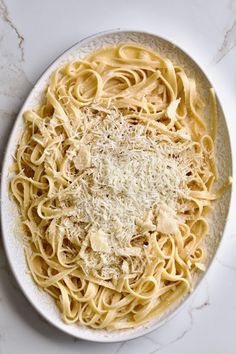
(13, 240)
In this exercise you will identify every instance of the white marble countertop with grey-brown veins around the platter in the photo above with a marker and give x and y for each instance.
(32, 34)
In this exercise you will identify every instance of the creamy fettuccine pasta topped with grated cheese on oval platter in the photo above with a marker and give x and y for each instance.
(114, 176)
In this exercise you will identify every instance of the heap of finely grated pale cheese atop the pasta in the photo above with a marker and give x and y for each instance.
(131, 183)
